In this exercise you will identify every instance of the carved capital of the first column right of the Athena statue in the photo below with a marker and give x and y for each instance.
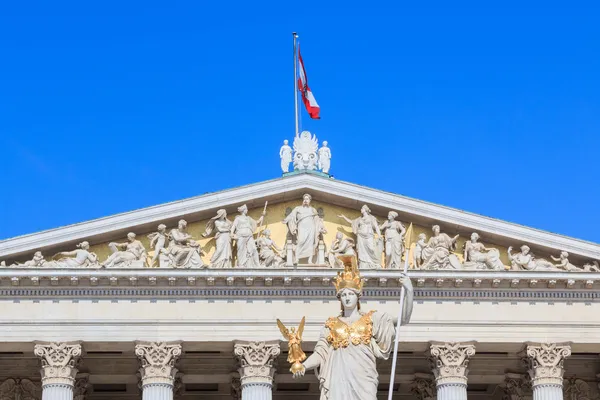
(449, 361)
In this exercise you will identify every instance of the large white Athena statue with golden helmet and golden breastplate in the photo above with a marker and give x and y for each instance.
(345, 355)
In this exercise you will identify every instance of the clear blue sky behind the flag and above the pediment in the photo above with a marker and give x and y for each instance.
(107, 107)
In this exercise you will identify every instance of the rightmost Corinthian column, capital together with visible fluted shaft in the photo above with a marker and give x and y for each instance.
(545, 362)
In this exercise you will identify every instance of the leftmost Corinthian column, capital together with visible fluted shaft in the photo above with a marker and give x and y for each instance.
(59, 361)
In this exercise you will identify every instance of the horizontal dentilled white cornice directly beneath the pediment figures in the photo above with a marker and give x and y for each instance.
(315, 283)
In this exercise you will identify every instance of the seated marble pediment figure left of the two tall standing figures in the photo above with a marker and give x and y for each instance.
(183, 250)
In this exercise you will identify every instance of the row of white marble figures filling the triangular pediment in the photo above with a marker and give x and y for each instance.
(243, 243)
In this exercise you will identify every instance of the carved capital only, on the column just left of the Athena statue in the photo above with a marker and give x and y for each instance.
(256, 361)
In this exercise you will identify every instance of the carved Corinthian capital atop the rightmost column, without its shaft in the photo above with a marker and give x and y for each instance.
(545, 361)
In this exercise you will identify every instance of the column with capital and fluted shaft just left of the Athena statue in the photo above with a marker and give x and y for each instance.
(256, 368)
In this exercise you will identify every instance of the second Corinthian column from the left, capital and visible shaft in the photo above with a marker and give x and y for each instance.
(158, 368)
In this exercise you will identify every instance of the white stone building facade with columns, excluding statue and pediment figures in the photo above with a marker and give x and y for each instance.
(183, 334)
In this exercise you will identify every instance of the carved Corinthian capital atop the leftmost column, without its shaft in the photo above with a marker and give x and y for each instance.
(59, 362)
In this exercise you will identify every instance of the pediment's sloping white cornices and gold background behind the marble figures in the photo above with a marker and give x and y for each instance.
(330, 196)
